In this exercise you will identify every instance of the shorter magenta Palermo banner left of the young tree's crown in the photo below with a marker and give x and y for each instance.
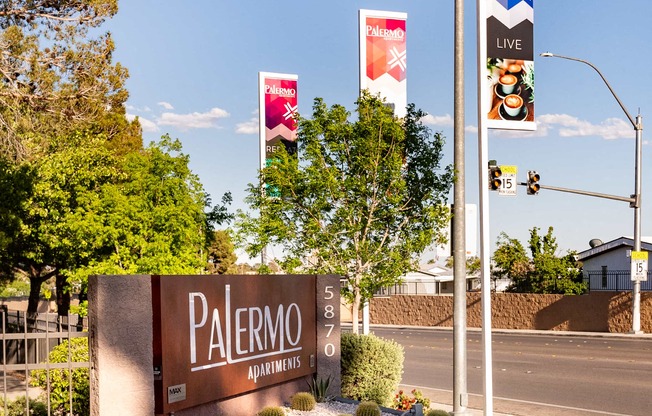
(277, 107)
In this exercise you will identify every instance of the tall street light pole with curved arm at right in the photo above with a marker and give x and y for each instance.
(636, 204)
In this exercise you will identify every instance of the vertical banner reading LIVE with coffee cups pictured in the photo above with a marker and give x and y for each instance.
(510, 64)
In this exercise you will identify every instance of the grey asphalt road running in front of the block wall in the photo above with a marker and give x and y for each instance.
(535, 374)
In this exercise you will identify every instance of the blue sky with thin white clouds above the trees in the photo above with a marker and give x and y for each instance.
(194, 71)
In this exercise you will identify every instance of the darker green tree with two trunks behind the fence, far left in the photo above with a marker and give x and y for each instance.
(43, 237)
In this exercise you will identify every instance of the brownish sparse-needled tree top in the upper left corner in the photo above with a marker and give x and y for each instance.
(55, 78)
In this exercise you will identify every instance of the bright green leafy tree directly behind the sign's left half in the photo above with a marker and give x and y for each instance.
(154, 220)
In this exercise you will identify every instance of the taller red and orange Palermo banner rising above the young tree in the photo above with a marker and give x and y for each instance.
(383, 62)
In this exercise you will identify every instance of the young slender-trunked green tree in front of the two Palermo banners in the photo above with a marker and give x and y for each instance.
(365, 200)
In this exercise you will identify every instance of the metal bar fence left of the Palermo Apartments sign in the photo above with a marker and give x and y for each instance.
(26, 344)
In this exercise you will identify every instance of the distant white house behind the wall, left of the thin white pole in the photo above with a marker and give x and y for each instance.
(430, 279)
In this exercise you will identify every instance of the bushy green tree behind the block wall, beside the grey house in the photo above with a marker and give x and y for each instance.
(544, 272)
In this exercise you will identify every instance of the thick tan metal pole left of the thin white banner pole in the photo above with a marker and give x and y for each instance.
(460, 395)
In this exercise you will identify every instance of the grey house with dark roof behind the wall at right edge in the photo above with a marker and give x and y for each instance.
(607, 266)
